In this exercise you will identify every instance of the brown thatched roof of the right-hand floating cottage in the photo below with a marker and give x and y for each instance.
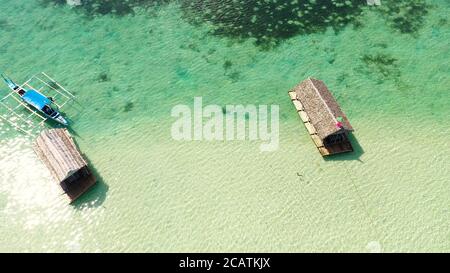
(321, 107)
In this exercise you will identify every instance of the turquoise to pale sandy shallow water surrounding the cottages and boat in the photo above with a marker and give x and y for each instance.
(157, 194)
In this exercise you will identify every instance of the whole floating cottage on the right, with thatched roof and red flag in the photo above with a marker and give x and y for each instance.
(326, 123)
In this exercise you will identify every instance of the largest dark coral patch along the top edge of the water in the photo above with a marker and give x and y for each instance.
(271, 21)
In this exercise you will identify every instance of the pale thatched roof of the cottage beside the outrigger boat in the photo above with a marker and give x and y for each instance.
(58, 151)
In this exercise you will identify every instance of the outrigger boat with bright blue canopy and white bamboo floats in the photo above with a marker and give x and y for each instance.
(33, 99)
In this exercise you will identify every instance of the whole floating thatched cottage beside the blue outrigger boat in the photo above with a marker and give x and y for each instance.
(59, 153)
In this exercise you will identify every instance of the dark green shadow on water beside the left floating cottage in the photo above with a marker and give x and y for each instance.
(96, 195)
